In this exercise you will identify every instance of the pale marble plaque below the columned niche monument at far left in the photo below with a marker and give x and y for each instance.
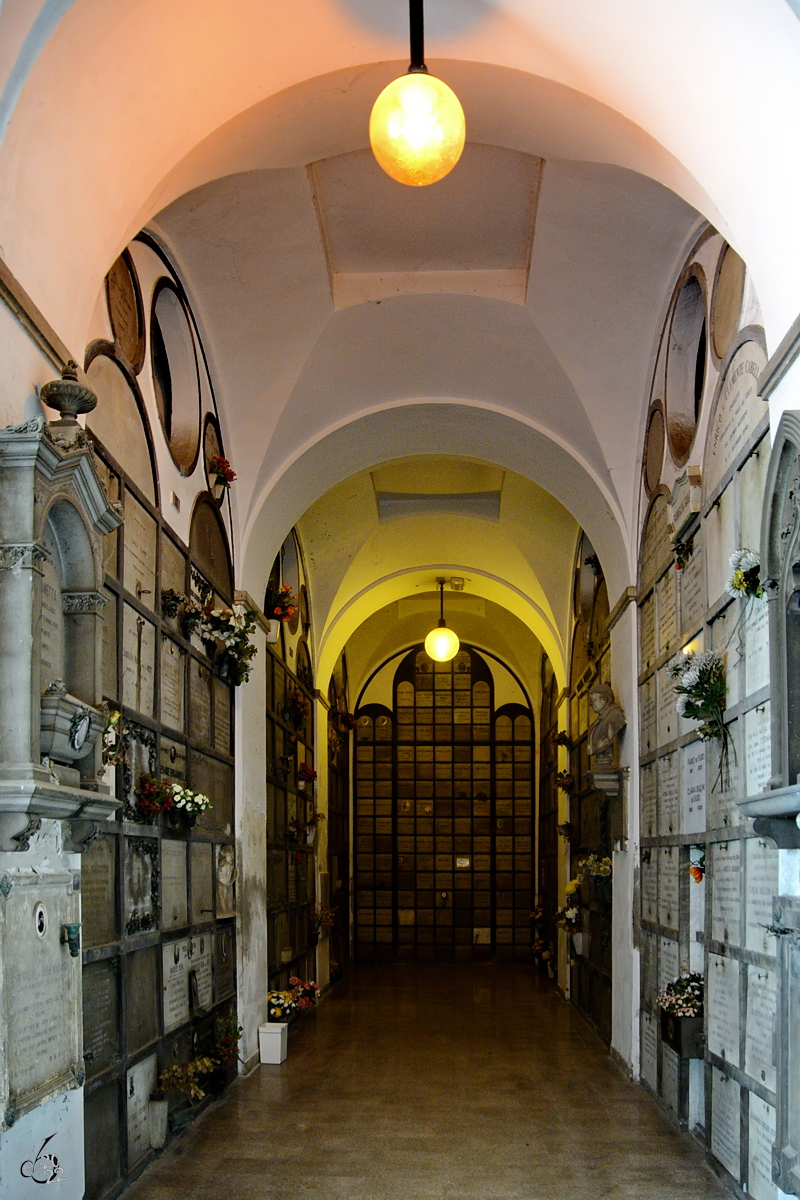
(41, 985)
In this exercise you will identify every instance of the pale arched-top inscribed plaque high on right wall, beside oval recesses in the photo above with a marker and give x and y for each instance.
(736, 415)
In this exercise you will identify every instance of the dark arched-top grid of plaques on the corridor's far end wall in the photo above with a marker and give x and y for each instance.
(443, 818)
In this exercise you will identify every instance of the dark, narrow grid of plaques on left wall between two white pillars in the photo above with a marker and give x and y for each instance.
(290, 856)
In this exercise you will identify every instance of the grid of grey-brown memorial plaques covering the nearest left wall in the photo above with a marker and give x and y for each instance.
(159, 944)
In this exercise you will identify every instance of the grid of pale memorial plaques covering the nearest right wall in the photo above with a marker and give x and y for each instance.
(689, 813)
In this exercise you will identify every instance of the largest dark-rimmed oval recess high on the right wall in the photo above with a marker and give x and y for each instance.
(687, 355)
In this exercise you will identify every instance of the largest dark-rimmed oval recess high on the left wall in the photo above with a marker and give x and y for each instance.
(176, 376)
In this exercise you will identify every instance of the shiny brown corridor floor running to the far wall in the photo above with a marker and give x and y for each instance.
(435, 1083)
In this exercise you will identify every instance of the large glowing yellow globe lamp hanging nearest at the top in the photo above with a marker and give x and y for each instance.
(418, 130)
